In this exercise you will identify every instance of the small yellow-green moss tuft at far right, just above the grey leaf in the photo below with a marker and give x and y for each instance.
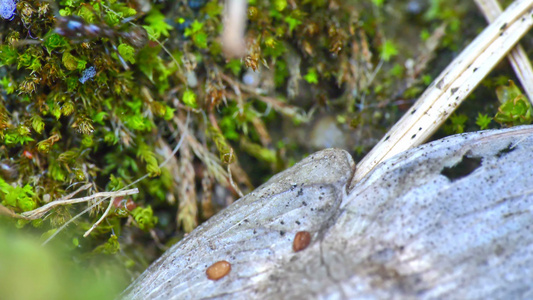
(515, 108)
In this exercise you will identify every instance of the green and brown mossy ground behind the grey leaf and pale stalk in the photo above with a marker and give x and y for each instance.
(107, 109)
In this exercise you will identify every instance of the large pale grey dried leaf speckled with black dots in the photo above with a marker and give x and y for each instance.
(412, 228)
